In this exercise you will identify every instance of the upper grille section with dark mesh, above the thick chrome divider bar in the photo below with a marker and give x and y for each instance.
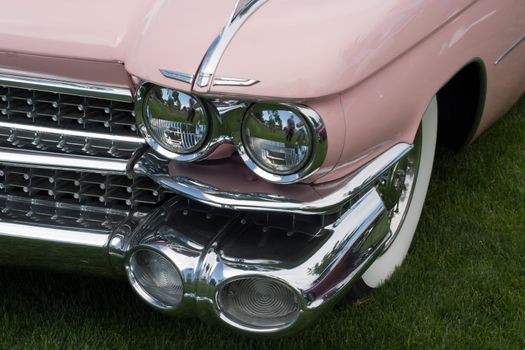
(63, 123)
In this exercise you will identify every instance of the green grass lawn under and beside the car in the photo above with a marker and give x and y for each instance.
(462, 285)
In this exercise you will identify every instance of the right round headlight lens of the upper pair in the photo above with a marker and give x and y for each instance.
(277, 138)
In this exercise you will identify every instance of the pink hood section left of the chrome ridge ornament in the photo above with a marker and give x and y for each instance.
(144, 34)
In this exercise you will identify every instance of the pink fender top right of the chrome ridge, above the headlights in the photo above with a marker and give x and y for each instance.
(301, 49)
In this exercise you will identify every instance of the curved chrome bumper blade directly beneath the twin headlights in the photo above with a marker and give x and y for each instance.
(296, 199)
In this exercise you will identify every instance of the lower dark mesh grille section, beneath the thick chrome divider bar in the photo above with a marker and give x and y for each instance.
(109, 191)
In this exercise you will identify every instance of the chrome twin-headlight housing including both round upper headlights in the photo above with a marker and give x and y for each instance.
(282, 143)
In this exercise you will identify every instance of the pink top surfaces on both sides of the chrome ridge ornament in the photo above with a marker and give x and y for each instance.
(297, 49)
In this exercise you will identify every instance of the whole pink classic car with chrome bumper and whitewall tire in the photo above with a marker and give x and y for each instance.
(249, 162)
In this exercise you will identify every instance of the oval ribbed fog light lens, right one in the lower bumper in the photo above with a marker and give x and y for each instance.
(259, 303)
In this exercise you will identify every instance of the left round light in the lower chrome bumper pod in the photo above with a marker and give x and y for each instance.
(155, 278)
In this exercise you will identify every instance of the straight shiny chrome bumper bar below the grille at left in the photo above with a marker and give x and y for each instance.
(54, 235)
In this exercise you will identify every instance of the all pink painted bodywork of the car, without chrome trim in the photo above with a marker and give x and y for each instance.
(369, 68)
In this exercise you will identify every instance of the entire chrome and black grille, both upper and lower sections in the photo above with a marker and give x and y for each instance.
(65, 153)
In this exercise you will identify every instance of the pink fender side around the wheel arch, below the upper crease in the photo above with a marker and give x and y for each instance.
(394, 99)
